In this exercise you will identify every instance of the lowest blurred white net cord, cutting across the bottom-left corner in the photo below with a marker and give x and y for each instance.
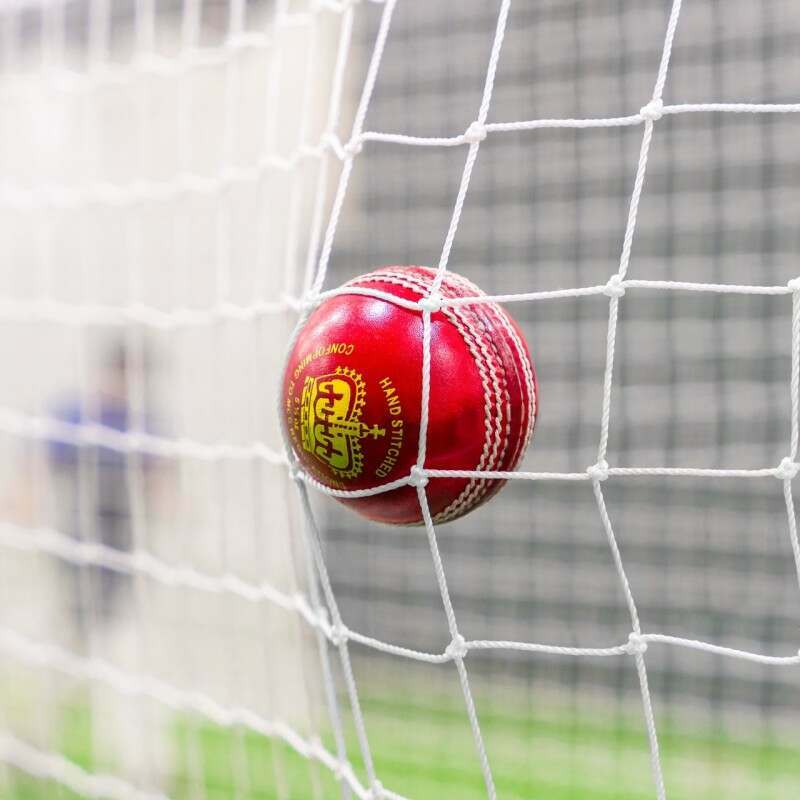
(53, 766)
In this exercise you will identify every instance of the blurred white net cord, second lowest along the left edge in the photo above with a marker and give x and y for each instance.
(48, 656)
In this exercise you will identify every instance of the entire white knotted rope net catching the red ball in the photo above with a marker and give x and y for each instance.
(329, 625)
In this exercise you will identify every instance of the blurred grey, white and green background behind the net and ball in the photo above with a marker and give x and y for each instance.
(163, 183)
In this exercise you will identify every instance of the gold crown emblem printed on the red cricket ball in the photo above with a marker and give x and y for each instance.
(330, 420)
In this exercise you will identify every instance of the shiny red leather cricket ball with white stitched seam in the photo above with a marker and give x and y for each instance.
(352, 395)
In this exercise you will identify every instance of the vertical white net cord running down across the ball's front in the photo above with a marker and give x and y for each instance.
(477, 131)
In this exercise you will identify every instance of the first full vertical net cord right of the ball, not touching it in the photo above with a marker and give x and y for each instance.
(616, 291)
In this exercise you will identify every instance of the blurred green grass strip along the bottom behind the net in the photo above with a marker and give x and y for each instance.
(424, 750)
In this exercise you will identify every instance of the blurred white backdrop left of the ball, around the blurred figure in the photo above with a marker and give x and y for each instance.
(155, 157)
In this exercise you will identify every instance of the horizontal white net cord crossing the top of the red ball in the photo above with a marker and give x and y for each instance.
(81, 314)
